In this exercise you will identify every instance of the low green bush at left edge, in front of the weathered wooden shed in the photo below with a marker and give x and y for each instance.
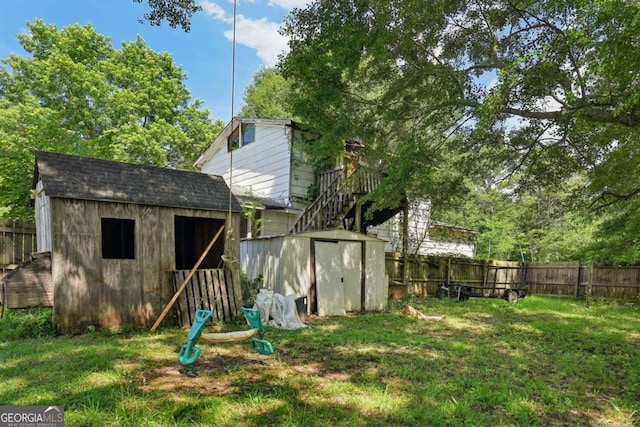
(27, 323)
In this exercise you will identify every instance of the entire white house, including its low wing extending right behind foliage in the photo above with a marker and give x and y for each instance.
(263, 163)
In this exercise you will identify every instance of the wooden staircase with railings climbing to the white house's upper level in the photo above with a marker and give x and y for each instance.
(339, 203)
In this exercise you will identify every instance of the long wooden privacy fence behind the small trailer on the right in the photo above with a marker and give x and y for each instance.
(427, 273)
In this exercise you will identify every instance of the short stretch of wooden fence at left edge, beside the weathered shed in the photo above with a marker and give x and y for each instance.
(17, 241)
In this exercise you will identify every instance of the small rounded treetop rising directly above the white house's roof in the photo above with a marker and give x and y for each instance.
(266, 97)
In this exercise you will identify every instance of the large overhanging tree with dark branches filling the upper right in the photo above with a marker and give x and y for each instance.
(543, 90)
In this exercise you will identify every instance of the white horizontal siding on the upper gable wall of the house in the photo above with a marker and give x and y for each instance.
(263, 166)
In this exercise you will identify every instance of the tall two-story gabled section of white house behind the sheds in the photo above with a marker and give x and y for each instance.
(261, 162)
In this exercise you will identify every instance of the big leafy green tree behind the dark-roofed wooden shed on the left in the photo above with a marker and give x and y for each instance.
(74, 93)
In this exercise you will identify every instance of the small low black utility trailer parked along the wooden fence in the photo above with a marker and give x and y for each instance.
(502, 282)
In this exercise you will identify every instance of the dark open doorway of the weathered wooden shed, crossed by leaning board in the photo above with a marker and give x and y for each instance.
(193, 235)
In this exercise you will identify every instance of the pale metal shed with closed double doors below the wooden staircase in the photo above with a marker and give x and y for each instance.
(338, 271)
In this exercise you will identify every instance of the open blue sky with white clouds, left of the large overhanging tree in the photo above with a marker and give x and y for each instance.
(204, 53)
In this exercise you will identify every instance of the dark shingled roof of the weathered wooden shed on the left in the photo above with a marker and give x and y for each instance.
(84, 178)
